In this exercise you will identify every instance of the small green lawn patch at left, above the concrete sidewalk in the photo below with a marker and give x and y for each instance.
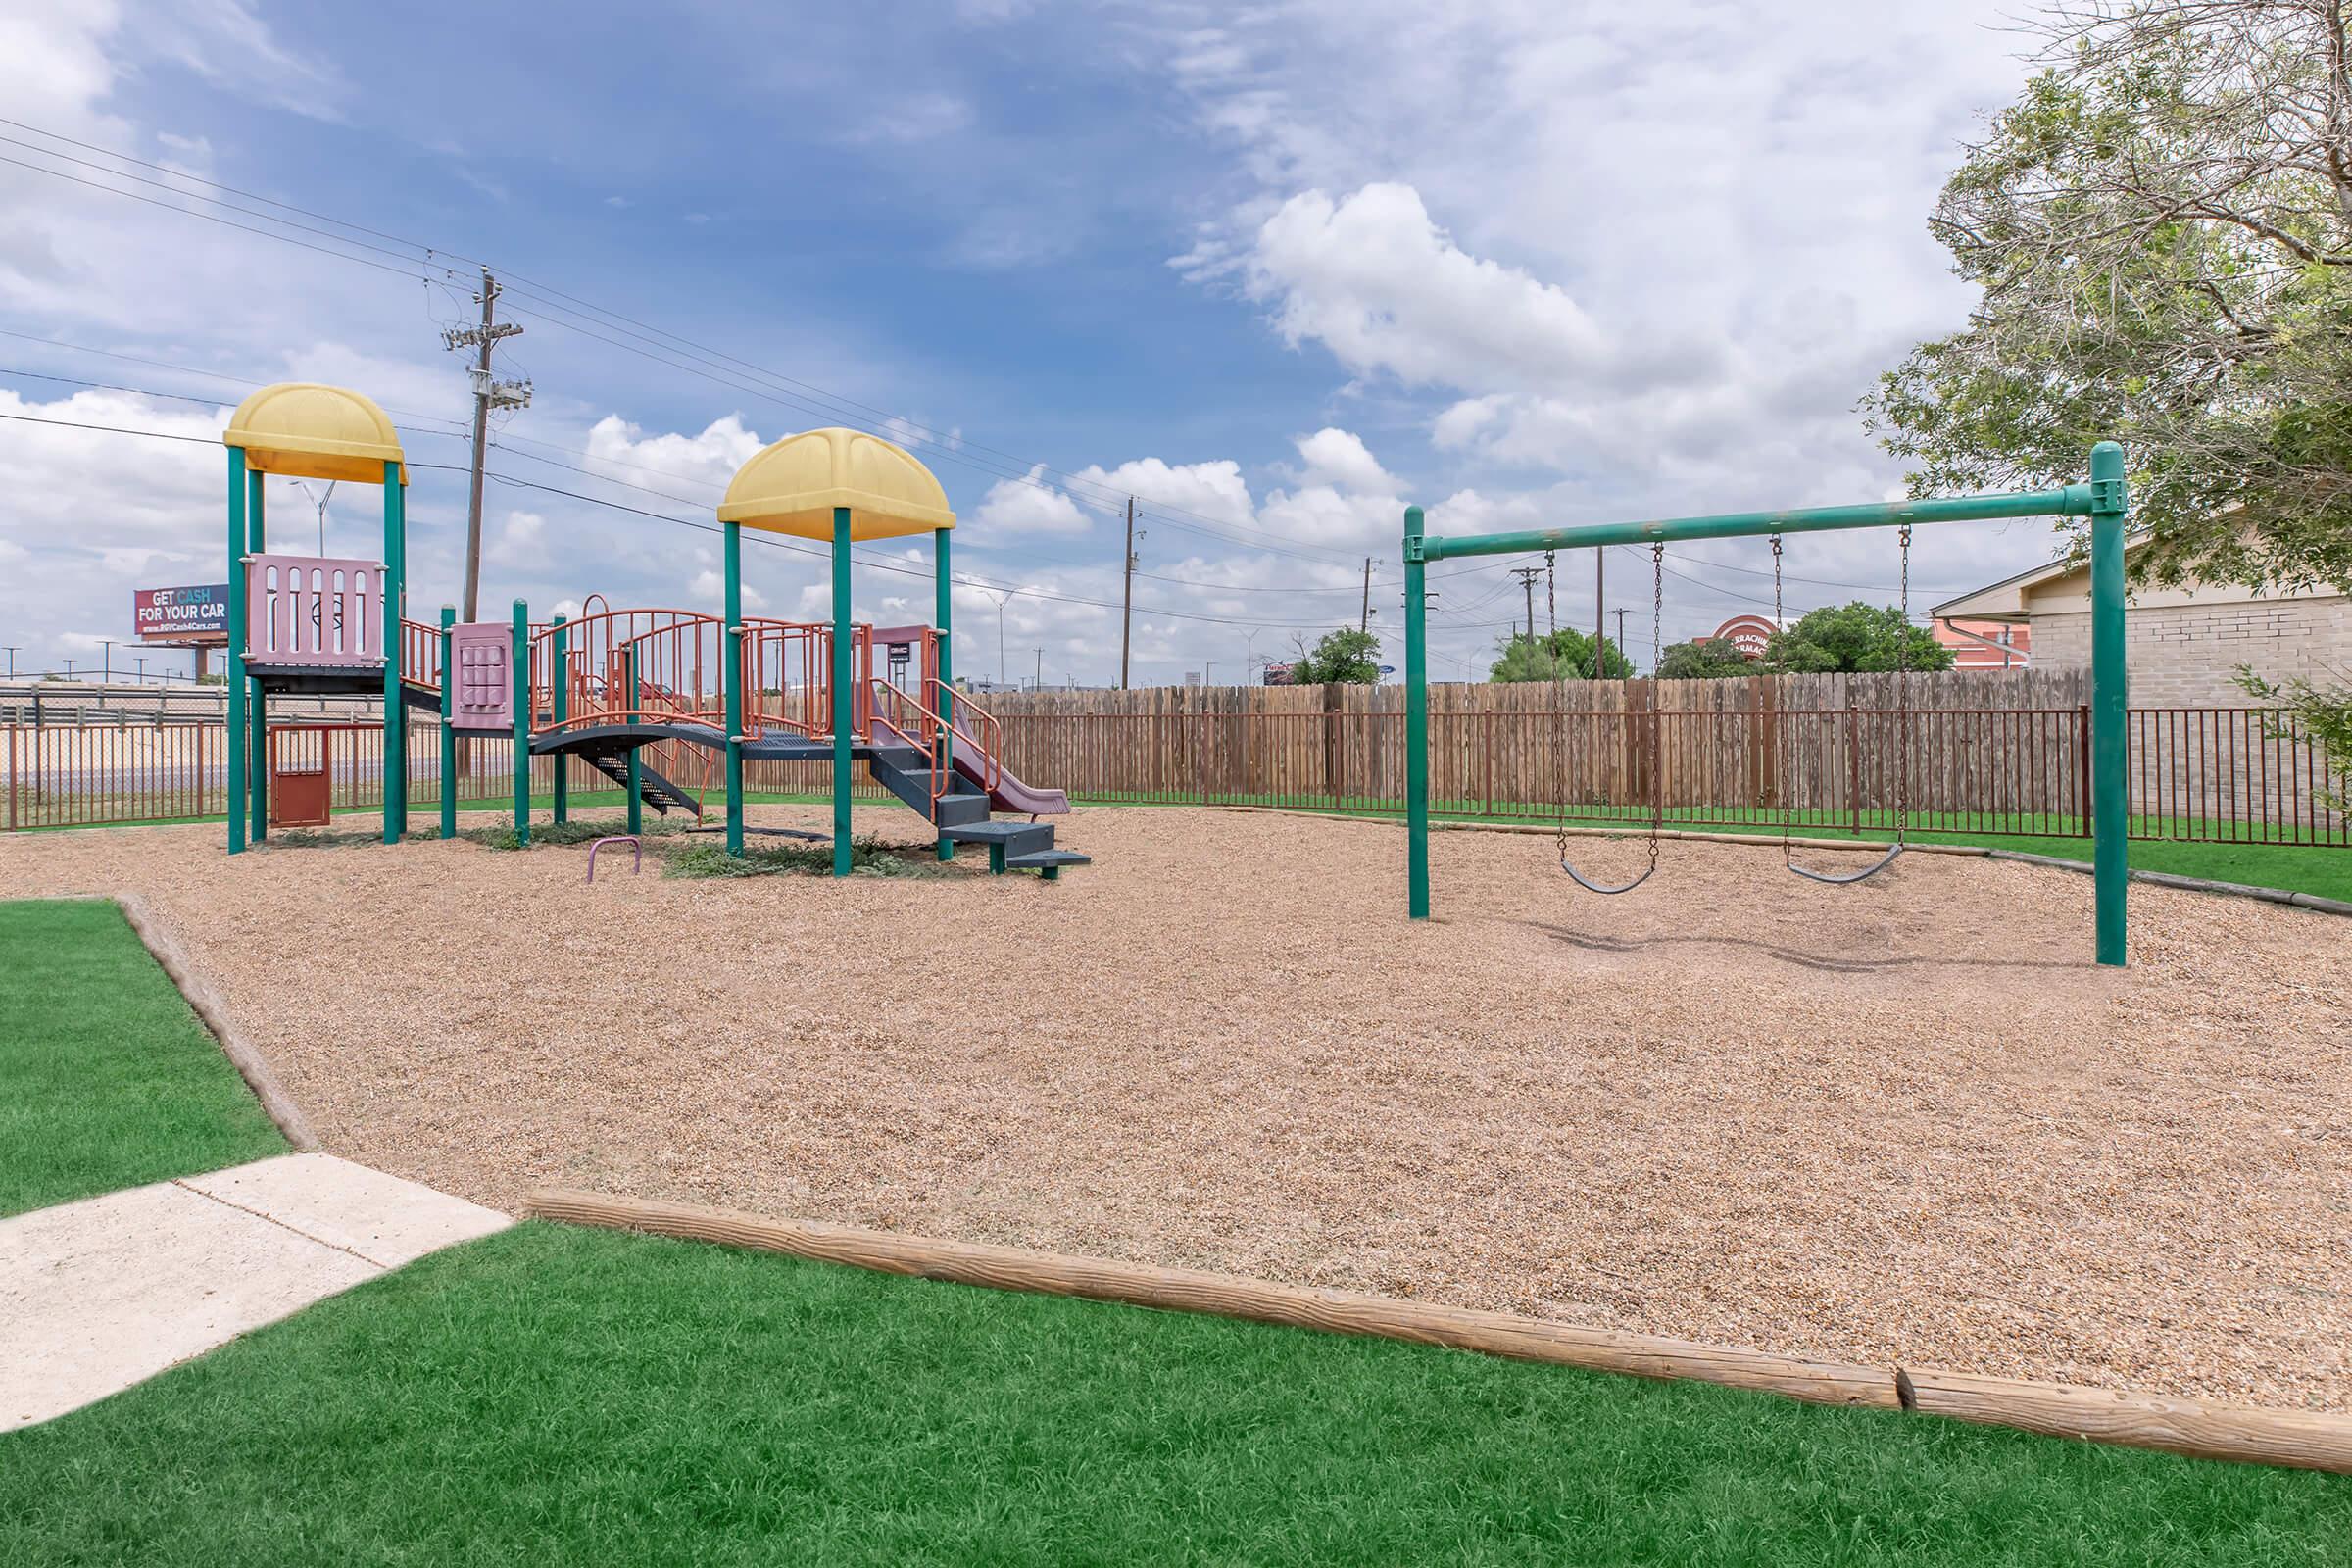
(107, 1080)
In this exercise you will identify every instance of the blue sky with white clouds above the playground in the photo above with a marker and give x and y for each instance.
(1274, 272)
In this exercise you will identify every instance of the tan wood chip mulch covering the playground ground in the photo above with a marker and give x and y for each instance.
(1902, 1123)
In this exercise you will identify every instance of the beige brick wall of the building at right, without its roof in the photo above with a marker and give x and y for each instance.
(2189, 655)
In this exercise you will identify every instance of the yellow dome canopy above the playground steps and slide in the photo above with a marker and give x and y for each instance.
(794, 485)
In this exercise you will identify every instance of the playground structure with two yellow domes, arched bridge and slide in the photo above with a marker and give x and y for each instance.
(646, 697)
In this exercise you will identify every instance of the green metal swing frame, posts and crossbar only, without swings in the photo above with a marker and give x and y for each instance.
(2104, 502)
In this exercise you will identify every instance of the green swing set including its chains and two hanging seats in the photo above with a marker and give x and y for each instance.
(2104, 502)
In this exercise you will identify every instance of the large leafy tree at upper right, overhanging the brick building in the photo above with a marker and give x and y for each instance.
(2163, 232)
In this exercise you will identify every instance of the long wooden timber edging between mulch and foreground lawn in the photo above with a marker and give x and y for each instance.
(2301, 1440)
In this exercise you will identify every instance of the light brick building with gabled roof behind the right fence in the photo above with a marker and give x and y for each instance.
(2184, 645)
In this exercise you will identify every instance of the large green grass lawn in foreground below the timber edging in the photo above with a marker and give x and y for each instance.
(584, 1398)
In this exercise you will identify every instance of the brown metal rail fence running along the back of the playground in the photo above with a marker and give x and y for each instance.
(1728, 760)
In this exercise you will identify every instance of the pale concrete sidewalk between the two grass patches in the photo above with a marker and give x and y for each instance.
(116, 1289)
